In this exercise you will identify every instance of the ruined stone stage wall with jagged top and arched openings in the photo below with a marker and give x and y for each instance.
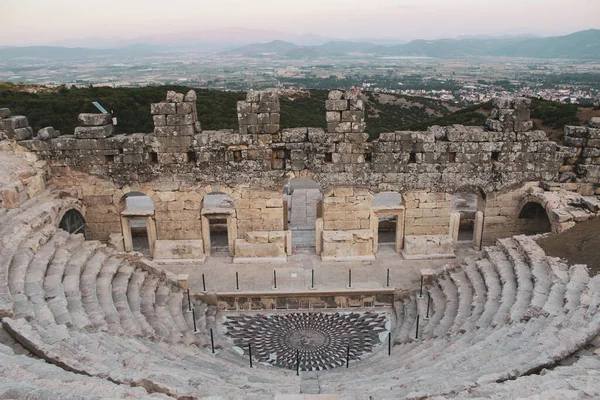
(178, 164)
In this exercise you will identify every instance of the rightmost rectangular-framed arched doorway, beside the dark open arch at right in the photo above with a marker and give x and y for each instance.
(467, 208)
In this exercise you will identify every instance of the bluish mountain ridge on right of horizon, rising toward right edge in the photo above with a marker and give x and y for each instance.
(579, 45)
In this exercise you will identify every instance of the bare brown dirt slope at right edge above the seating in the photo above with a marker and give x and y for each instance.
(578, 245)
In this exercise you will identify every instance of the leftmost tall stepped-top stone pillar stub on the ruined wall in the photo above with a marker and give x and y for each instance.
(177, 116)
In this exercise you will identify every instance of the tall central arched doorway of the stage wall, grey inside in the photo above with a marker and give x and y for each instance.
(302, 205)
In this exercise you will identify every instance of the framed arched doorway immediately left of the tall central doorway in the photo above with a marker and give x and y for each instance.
(218, 210)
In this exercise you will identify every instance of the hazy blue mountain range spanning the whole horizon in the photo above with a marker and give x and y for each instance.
(579, 45)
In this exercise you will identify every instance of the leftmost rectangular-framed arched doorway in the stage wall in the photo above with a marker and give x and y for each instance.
(137, 222)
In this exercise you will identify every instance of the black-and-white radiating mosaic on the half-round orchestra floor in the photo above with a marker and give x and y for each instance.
(316, 341)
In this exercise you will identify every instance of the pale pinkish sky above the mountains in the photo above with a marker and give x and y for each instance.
(44, 21)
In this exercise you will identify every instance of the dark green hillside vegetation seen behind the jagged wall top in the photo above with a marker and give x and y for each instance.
(217, 109)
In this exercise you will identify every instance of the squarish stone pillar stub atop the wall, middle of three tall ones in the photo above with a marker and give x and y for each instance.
(260, 113)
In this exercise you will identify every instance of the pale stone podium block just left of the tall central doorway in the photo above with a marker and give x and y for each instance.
(261, 247)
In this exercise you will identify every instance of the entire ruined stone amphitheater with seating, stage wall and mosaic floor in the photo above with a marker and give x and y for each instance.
(295, 263)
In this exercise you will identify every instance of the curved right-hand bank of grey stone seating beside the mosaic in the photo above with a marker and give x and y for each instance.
(512, 312)
